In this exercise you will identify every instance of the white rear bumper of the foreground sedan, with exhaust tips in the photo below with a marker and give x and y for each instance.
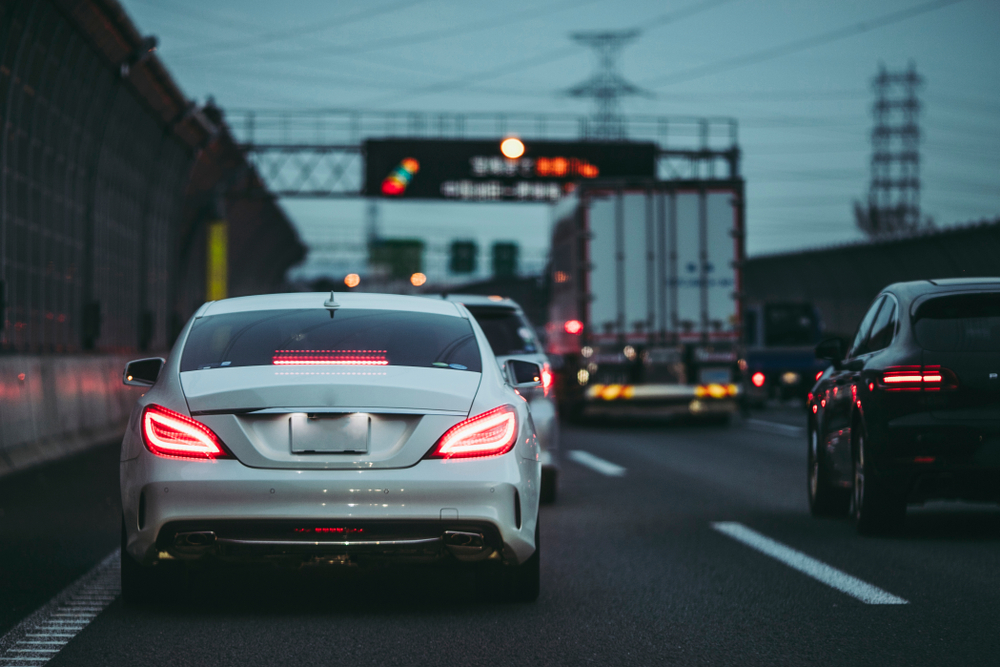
(252, 513)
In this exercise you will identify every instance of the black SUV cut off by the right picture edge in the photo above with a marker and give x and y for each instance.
(911, 411)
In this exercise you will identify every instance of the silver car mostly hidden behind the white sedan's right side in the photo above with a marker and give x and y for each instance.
(512, 336)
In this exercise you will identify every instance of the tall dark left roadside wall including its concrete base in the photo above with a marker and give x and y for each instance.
(108, 176)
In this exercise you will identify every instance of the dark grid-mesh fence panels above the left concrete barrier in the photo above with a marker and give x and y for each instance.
(91, 181)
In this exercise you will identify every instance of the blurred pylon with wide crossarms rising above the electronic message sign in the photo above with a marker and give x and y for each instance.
(606, 86)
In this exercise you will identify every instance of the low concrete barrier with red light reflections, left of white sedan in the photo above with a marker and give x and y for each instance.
(55, 405)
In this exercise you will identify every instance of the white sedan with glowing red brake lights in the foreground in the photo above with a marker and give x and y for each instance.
(331, 428)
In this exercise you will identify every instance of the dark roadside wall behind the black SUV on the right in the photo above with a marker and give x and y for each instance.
(842, 281)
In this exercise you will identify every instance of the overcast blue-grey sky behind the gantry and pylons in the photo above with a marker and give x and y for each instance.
(803, 111)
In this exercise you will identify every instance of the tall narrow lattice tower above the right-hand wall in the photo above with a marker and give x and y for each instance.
(894, 191)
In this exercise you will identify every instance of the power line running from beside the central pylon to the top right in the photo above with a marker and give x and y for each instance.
(797, 45)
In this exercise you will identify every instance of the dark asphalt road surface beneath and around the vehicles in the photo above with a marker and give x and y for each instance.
(633, 573)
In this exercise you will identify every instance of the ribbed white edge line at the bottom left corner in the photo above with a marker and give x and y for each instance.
(63, 617)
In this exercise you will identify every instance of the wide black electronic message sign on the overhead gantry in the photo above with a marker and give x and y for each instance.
(501, 170)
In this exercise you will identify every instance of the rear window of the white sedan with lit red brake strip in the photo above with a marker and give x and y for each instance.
(345, 337)
